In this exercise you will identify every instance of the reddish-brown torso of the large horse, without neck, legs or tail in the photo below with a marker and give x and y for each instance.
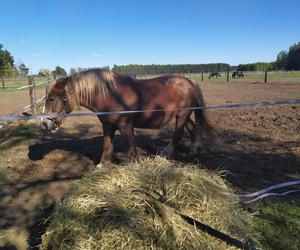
(166, 93)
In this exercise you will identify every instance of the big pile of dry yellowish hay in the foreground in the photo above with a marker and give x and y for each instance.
(134, 207)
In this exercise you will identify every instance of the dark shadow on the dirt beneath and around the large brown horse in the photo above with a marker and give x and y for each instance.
(250, 161)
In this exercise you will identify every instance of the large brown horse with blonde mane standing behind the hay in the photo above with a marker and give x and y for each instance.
(102, 90)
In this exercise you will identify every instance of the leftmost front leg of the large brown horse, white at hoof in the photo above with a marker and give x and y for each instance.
(108, 136)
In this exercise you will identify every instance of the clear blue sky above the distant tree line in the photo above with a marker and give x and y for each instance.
(78, 33)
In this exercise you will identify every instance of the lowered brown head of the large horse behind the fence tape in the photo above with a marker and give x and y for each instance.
(56, 103)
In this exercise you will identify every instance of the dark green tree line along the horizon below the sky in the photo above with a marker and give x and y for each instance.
(286, 60)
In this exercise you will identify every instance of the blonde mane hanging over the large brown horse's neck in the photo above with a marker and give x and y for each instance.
(87, 85)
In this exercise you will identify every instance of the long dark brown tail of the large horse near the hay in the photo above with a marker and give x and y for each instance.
(205, 130)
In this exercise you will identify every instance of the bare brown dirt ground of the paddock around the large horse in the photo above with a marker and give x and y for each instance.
(258, 147)
